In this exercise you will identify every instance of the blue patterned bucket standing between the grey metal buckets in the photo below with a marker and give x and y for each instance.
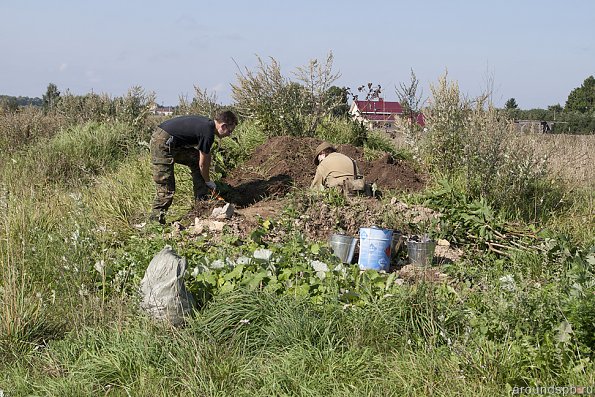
(374, 248)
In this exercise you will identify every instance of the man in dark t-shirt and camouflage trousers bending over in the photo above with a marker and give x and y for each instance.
(185, 140)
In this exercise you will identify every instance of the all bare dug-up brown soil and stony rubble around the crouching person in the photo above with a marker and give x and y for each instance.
(257, 189)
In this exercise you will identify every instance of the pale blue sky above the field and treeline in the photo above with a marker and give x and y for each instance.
(535, 51)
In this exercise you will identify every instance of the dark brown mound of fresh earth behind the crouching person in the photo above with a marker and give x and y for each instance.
(285, 162)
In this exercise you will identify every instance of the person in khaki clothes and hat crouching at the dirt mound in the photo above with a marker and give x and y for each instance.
(336, 170)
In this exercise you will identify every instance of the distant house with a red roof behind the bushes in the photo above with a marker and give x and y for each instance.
(381, 114)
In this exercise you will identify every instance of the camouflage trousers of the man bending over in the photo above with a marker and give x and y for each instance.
(163, 158)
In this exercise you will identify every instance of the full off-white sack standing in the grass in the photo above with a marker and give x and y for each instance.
(163, 292)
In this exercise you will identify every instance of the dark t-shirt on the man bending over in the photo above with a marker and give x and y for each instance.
(196, 131)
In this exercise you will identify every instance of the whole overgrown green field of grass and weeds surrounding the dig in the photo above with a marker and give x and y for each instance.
(516, 310)
